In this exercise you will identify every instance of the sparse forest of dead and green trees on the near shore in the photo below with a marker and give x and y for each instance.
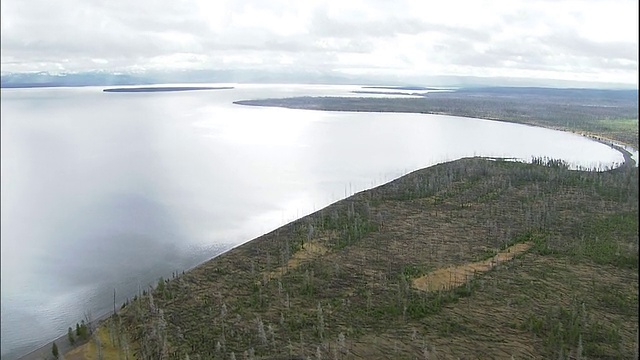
(340, 283)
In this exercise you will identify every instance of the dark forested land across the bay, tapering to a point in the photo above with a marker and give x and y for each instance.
(562, 110)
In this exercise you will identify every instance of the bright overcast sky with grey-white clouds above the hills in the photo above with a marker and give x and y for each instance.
(586, 40)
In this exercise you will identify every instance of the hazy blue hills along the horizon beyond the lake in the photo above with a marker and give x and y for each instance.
(283, 76)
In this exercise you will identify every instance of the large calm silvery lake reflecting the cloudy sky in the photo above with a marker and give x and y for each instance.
(104, 191)
